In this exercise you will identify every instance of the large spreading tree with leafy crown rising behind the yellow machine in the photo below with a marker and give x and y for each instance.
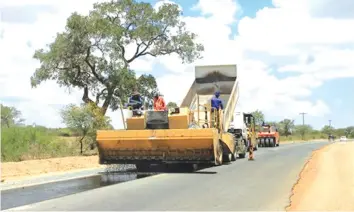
(91, 53)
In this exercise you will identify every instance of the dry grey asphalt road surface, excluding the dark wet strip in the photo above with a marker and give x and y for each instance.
(263, 184)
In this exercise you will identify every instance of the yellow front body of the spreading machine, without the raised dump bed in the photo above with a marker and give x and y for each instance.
(174, 145)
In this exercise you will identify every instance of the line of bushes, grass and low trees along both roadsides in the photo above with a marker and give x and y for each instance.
(20, 141)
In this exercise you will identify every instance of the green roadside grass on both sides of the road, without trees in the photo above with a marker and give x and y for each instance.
(26, 143)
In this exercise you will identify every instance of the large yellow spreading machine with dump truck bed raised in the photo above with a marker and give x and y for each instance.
(191, 134)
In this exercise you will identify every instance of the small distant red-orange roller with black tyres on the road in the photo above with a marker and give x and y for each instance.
(268, 136)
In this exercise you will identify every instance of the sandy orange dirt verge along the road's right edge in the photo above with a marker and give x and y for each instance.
(326, 182)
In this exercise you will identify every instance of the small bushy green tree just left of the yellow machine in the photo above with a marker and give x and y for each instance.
(84, 120)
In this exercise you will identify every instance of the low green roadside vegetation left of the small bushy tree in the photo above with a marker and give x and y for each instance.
(22, 143)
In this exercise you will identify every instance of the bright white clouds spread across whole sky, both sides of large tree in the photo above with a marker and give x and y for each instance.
(320, 48)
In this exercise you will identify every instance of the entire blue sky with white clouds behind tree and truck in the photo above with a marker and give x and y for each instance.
(292, 56)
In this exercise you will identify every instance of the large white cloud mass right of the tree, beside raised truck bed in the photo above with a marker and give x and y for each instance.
(289, 30)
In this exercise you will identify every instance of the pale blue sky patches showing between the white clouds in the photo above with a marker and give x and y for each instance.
(337, 93)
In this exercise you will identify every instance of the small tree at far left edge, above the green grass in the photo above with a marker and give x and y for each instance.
(10, 116)
